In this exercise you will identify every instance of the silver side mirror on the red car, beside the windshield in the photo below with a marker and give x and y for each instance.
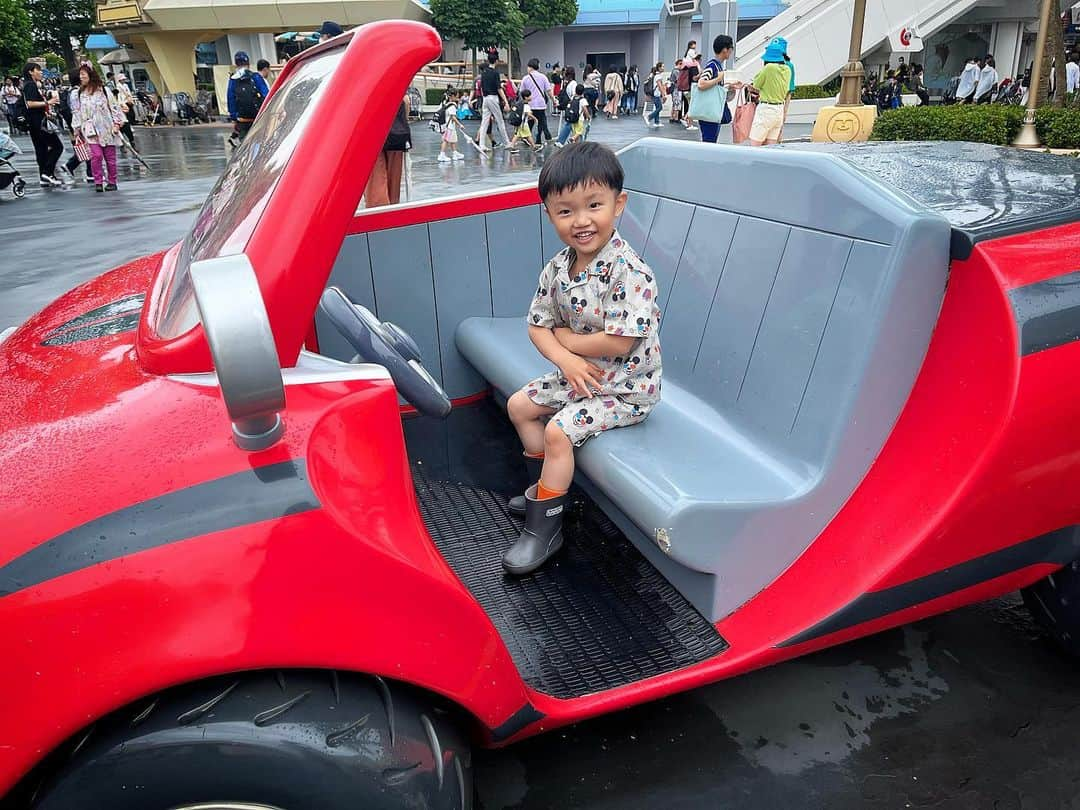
(238, 330)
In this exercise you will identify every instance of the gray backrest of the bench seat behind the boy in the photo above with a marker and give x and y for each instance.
(799, 295)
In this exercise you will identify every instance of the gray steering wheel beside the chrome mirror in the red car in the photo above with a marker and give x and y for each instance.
(388, 346)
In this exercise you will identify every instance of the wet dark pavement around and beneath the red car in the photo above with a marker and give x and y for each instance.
(971, 710)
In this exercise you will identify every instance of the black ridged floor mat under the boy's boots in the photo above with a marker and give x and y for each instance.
(597, 617)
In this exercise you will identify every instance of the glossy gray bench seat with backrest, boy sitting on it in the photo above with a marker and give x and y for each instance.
(800, 298)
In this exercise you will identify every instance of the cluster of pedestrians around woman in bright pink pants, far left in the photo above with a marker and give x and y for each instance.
(96, 114)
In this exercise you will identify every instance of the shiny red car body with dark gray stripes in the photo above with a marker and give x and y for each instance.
(99, 430)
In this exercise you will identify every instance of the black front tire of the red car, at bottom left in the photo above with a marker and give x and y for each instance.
(266, 741)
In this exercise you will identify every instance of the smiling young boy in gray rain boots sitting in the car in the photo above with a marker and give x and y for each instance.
(596, 317)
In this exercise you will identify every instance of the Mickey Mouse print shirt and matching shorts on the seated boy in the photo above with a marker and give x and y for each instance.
(617, 295)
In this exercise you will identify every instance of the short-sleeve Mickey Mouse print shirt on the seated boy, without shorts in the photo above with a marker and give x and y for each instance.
(617, 295)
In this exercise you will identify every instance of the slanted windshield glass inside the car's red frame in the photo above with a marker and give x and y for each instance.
(234, 208)
